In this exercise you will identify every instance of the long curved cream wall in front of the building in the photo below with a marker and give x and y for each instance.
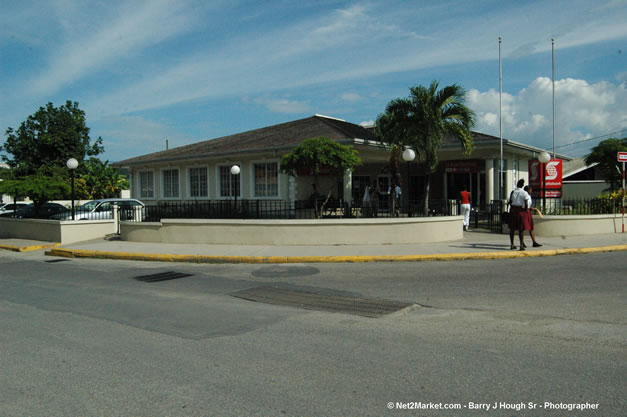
(378, 231)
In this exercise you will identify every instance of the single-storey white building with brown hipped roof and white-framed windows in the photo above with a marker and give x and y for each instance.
(202, 171)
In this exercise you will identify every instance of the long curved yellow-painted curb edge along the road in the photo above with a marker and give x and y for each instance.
(213, 259)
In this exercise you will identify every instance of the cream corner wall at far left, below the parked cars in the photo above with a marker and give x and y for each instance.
(56, 230)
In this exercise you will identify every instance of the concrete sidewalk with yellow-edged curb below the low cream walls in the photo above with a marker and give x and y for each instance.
(474, 245)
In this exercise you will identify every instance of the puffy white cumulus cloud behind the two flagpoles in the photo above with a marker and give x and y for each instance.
(596, 109)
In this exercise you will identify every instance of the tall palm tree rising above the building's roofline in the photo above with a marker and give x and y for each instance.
(422, 120)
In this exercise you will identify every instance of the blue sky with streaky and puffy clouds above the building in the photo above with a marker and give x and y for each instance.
(147, 71)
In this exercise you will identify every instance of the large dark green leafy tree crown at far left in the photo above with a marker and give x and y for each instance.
(48, 138)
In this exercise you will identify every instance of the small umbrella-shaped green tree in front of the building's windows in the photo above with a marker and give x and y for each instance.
(315, 154)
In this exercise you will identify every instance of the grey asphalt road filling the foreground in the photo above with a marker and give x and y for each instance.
(85, 338)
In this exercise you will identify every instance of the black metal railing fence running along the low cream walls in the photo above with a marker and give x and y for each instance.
(312, 209)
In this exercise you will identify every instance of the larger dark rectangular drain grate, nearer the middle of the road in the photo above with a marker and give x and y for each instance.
(321, 302)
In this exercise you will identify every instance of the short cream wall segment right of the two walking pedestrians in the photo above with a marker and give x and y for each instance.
(577, 225)
